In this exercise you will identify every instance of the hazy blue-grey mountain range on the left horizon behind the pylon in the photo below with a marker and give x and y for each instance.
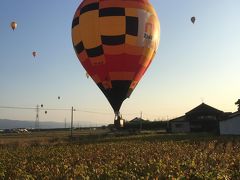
(11, 124)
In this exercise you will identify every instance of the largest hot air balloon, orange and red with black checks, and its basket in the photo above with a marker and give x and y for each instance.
(115, 41)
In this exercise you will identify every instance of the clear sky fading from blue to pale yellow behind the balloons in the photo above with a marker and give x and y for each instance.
(194, 63)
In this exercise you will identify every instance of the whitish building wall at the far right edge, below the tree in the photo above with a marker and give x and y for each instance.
(230, 126)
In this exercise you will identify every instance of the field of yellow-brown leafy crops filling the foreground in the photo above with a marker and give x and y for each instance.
(148, 156)
